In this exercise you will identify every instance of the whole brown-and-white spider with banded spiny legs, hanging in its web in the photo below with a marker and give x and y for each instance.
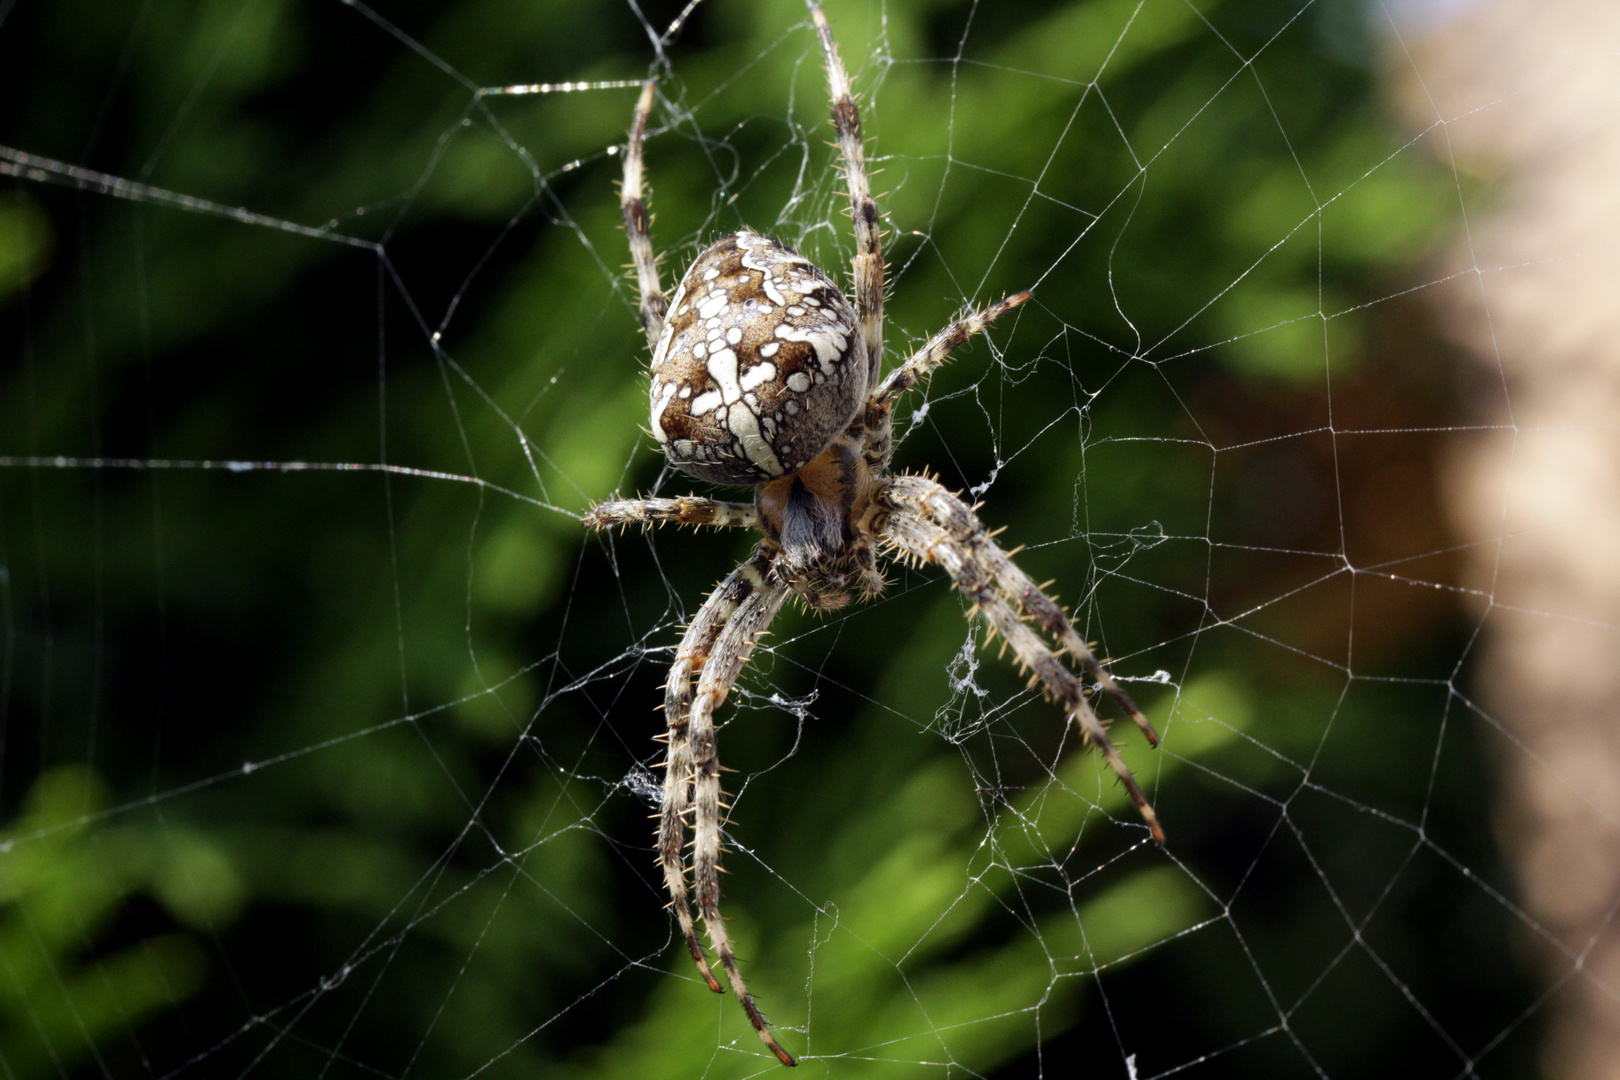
(765, 375)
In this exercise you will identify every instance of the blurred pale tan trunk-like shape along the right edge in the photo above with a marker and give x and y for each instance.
(1530, 98)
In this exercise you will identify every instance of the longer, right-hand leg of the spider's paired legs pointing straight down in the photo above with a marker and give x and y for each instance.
(727, 660)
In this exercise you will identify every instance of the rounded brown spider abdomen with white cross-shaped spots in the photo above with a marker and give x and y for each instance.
(761, 364)
